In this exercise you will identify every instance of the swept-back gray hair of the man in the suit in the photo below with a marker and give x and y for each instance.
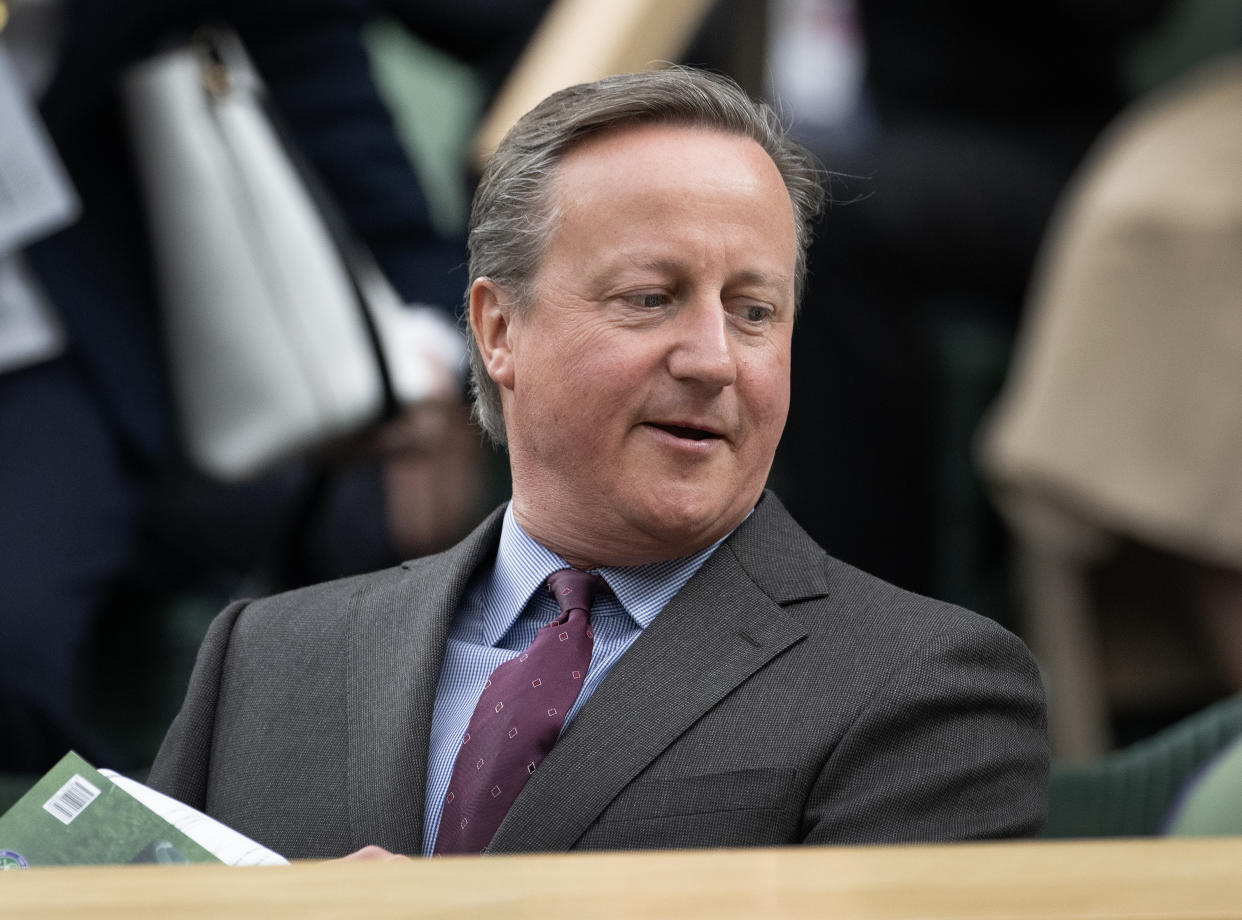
(514, 214)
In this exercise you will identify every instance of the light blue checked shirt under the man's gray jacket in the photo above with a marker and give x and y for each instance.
(500, 616)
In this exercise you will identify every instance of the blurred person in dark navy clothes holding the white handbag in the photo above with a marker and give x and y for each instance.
(95, 494)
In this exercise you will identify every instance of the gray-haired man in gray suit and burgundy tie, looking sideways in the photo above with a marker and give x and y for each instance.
(637, 256)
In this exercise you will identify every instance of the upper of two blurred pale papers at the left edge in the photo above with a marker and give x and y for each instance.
(37, 197)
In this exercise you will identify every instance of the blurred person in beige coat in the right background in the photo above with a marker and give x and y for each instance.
(1113, 449)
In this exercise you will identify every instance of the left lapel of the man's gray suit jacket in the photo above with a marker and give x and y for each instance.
(398, 633)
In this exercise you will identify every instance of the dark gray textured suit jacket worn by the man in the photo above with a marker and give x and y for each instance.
(782, 697)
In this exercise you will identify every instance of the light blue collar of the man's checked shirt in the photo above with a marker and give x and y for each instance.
(524, 567)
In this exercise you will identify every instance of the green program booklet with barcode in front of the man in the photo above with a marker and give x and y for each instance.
(80, 816)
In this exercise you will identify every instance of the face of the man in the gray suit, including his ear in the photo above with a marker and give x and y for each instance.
(648, 386)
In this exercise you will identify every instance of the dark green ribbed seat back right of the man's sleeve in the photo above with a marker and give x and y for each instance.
(1128, 794)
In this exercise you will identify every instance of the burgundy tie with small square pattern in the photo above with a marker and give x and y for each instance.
(519, 718)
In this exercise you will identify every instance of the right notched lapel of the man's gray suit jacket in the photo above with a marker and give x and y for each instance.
(720, 630)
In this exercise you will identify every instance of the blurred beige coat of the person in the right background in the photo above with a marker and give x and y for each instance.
(1125, 403)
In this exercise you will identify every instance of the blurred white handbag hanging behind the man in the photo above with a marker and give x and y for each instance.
(275, 323)
